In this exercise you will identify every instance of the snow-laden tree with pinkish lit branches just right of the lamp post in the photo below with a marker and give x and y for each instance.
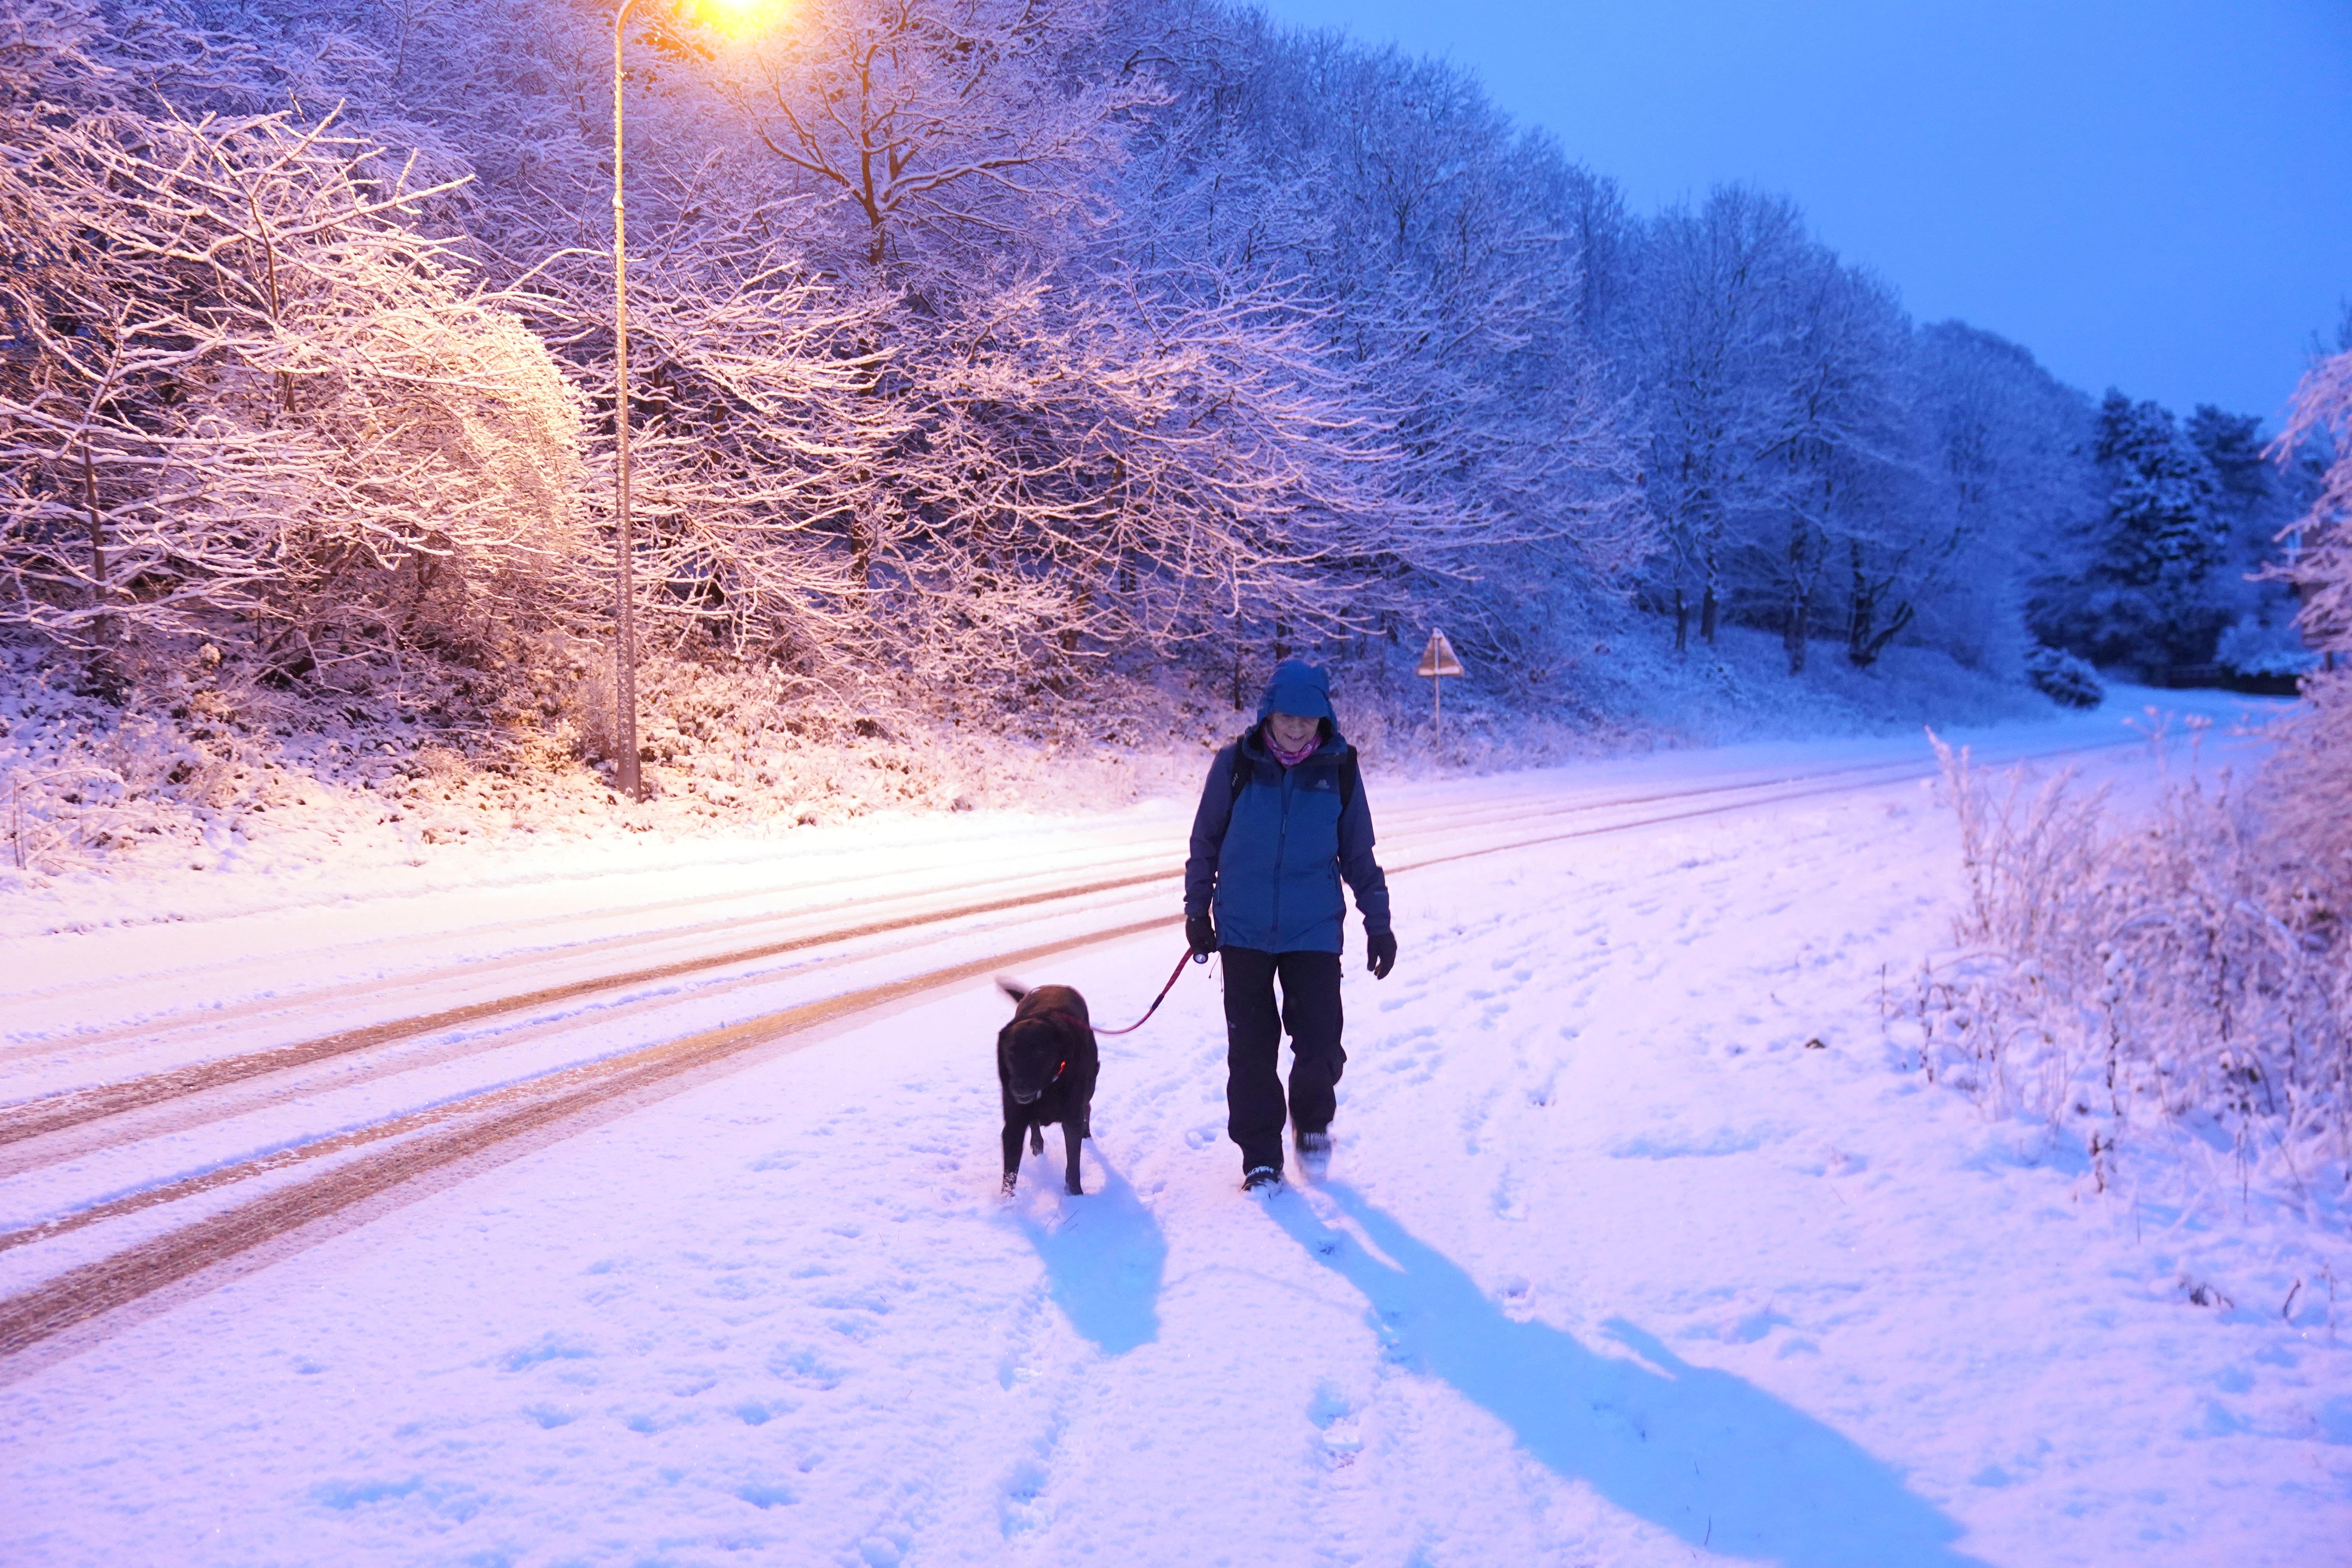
(1107, 441)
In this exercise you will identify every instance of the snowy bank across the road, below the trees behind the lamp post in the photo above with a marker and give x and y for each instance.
(222, 803)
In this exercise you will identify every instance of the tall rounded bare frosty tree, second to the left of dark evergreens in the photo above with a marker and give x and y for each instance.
(1782, 410)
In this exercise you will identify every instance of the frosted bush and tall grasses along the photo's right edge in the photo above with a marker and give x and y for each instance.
(2198, 965)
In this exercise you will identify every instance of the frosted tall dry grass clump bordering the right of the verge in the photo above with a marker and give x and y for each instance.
(2158, 986)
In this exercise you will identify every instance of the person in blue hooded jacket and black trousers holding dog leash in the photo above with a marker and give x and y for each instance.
(1281, 824)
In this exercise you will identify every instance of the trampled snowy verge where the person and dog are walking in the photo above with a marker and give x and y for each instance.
(1612, 1268)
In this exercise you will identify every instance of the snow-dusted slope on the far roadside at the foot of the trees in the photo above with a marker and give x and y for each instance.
(201, 772)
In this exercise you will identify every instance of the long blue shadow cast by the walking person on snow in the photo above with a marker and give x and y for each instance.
(1704, 1454)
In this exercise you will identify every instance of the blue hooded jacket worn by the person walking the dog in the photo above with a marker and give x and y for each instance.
(1271, 857)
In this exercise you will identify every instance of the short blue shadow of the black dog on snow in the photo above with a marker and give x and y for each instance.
(1104, 1259)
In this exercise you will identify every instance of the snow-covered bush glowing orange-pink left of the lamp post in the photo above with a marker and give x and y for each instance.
(248, 398)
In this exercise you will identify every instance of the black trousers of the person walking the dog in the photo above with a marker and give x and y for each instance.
(1255, 1106)
